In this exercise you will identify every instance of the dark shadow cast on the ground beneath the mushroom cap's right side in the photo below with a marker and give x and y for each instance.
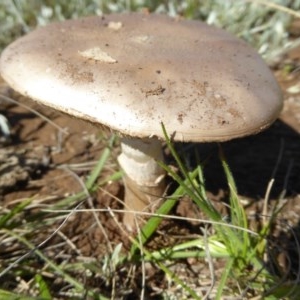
(254, 160)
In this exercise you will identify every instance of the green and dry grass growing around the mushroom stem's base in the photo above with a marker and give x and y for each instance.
(239, 262)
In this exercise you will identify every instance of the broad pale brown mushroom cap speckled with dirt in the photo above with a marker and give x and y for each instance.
(132, 72)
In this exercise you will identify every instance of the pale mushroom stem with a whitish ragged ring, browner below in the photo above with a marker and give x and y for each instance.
(144, 179)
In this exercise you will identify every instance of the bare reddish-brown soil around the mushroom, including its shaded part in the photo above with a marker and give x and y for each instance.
(42, 162)
